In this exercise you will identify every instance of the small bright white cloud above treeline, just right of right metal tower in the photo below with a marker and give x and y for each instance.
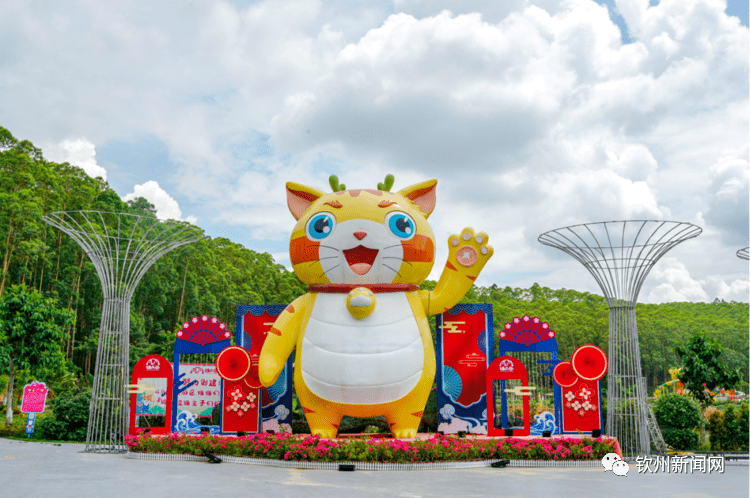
(676, 283)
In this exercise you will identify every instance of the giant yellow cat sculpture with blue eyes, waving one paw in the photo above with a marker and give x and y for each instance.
(363, 340)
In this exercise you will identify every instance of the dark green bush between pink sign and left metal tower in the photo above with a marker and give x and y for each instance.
(70, 420)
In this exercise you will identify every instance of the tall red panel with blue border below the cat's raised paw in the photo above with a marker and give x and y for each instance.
(464, 351)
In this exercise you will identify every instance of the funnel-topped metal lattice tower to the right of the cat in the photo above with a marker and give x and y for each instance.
(619, 255)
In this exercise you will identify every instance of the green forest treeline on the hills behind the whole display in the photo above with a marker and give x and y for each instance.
(215, 275)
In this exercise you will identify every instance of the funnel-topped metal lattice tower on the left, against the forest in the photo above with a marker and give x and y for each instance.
(122, 247)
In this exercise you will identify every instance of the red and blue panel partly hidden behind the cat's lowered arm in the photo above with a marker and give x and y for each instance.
(253, 323)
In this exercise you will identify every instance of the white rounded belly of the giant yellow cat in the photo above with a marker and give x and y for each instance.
(376, 360)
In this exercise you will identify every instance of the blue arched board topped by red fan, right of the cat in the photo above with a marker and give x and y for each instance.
(535, 344)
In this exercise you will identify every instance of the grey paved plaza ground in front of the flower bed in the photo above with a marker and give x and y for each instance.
(47, 470)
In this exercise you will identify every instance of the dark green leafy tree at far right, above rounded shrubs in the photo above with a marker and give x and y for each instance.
(703, 369)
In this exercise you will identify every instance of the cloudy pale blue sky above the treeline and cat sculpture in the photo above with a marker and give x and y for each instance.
(532, 115)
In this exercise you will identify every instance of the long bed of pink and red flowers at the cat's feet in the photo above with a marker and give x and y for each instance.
(437, 448)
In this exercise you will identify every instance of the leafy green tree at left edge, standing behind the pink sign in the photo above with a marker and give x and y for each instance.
(32, 329)
